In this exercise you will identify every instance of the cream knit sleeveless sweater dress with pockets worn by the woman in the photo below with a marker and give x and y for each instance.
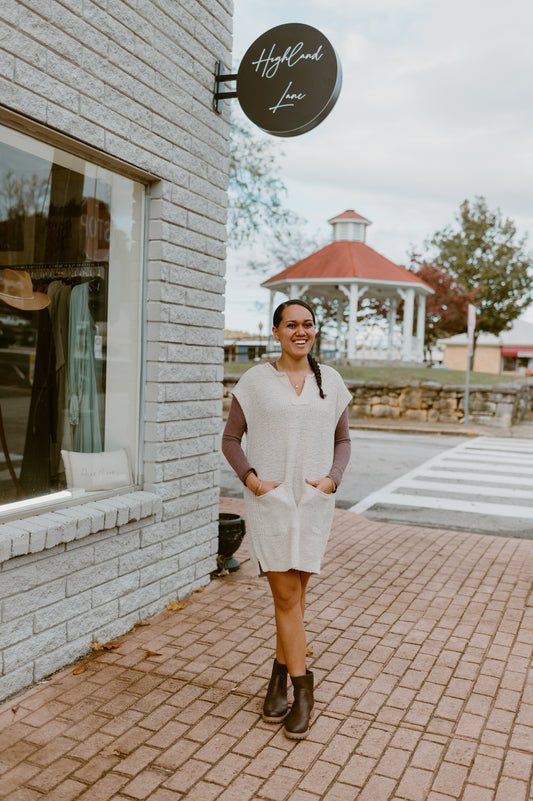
(289, 438)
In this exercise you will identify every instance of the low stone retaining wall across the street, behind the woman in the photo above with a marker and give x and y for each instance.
(429, 401)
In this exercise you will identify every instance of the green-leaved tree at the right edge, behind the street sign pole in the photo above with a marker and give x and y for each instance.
(485, 255)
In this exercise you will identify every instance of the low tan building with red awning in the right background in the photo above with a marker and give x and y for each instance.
(509, 352)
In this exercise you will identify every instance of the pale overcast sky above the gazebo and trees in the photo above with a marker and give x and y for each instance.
(436, 106)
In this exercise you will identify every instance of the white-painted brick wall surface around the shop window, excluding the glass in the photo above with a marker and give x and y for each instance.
(135, 80)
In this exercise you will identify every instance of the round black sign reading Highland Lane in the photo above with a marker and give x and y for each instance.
(289, 80)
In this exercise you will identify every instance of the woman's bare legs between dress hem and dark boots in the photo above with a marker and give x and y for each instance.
(288, 591)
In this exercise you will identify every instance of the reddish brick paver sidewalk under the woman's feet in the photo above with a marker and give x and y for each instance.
(421, 647)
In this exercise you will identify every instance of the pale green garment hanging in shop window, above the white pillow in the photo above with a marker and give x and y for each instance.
(84, 414)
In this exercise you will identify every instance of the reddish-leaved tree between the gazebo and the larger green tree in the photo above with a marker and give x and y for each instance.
(446, 309)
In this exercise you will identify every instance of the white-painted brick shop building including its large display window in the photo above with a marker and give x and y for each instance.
(113, 175)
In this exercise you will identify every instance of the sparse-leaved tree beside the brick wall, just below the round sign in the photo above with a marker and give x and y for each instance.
(256, 191)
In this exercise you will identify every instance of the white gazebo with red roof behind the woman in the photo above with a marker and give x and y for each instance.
(347, 269)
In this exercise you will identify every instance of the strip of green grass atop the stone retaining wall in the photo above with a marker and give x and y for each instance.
(388, 375)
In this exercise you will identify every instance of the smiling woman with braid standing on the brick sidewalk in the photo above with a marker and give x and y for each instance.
(294, 413)
